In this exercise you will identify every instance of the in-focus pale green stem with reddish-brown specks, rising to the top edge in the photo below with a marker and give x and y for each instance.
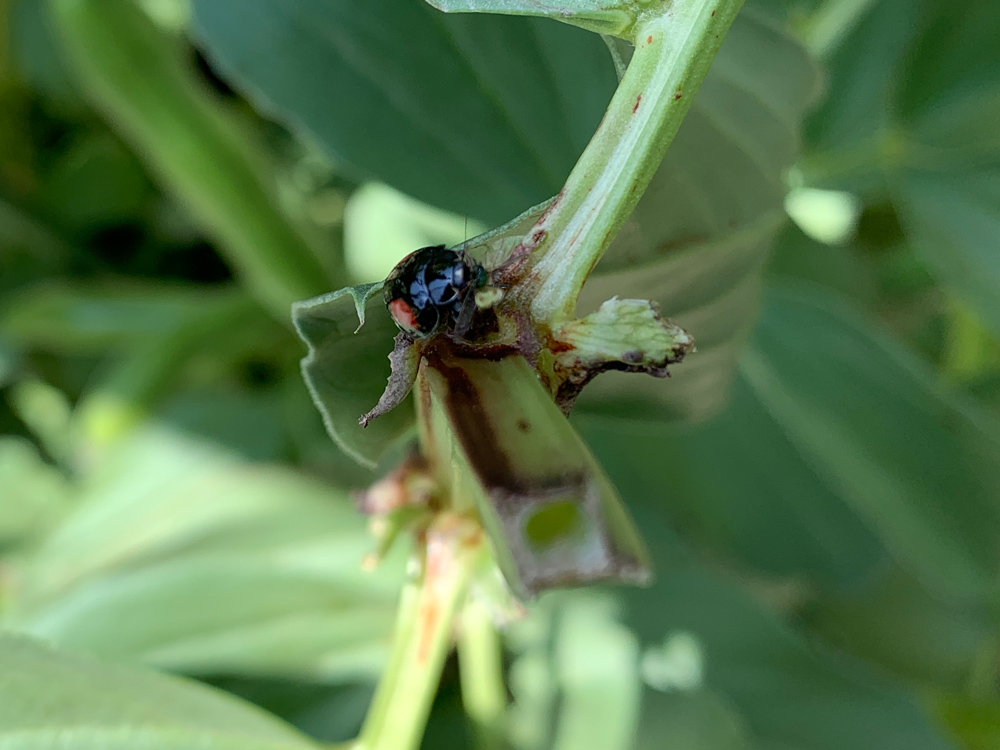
(674, 47)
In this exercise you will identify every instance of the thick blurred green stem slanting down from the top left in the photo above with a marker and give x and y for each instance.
(137, 75)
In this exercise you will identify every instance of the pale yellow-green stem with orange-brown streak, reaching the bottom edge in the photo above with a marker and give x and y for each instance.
(422, 638)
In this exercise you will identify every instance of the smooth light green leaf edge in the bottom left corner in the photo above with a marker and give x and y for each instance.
(50, 699)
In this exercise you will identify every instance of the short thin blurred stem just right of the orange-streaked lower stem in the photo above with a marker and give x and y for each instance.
(484, 693)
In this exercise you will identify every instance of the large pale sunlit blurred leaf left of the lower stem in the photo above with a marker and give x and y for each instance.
(184, 557)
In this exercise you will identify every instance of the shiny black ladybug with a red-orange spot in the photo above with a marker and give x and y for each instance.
(432, 289)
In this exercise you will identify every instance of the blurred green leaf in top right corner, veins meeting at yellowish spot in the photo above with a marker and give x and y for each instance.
(912, 113)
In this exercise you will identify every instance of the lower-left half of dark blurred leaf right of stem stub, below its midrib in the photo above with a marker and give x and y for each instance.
(739, 485)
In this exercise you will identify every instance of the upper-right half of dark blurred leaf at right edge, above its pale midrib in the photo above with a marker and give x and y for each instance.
(923, 472)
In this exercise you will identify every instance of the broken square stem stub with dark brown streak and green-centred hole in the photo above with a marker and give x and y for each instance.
(505, 450)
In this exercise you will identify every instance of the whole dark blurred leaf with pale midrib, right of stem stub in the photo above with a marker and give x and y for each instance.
(837, 442)
